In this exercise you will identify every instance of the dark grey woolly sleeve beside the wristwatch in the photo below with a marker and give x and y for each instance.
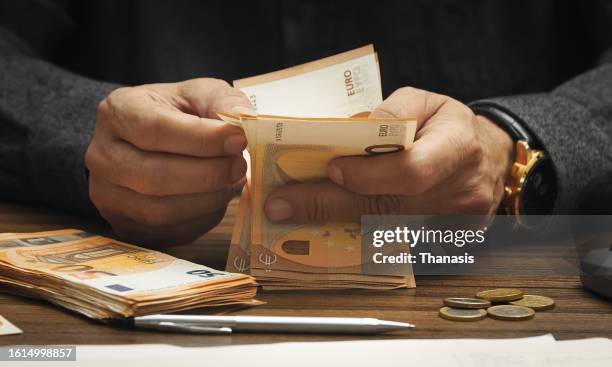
(573, 123)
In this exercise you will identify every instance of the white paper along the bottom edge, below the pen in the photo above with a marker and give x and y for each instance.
(541, 351)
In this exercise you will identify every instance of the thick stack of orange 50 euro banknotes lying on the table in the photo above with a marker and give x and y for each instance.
(104, 279)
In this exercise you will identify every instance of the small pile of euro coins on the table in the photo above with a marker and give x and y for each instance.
(501, 304)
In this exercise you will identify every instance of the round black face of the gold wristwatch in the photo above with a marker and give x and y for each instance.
(539, 191)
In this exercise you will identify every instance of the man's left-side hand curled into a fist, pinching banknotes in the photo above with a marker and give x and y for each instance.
(162, 168)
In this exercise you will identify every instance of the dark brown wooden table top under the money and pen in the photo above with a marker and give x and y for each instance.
(578, 313)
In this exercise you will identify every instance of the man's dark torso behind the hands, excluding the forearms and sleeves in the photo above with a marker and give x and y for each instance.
(468, 49)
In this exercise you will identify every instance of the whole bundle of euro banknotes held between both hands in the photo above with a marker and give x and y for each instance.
(306, 116)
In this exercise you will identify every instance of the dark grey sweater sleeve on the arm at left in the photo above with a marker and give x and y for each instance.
(47, 114)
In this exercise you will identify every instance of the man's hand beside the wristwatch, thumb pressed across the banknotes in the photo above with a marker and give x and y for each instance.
(457, 165)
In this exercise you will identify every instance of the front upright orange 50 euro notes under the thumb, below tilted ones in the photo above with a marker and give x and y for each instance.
(298, 150)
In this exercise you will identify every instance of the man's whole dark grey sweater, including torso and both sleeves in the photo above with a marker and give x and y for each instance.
(548, 61)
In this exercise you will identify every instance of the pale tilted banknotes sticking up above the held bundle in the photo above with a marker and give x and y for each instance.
(343, 85)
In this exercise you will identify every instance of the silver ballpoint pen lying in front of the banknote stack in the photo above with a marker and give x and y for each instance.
(263, 324)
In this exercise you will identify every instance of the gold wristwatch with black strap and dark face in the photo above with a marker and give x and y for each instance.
(530, 190)
